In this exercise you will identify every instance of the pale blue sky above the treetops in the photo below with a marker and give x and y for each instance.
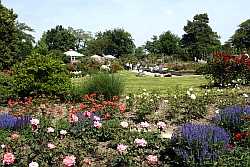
(141, 18)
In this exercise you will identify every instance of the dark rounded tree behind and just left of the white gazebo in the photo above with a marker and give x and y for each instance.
(59, 38)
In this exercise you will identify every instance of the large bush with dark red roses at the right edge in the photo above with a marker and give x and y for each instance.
(224, 69)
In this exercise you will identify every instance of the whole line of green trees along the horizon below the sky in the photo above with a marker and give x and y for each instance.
(199, 40)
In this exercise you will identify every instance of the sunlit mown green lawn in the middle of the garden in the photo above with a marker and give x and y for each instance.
(160, 84)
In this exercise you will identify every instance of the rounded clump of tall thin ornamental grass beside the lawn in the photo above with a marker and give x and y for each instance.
(107, 84)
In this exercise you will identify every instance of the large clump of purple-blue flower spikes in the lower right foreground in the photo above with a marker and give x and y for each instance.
(199, 145)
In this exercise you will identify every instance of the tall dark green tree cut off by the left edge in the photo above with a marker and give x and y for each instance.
(9, 40)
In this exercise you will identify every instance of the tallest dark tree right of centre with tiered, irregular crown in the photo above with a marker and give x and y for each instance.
(199, 38)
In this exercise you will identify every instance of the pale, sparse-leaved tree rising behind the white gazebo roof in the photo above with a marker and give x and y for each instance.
(82, 37)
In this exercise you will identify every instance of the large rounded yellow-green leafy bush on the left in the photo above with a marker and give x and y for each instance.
(39, 74)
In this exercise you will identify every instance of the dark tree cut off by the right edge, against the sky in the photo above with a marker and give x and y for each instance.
(241, 37)
